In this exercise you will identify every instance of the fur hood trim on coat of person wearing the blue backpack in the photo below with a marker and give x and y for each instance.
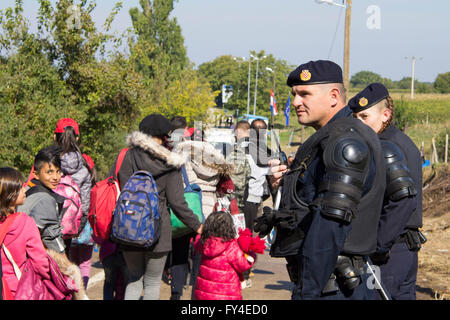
(146, 142)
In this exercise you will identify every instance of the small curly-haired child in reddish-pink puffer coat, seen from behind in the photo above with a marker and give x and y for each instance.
(222, 260)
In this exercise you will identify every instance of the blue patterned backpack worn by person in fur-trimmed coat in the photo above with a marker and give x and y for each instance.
(136, 220)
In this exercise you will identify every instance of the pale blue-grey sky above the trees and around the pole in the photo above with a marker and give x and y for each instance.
(302, 30)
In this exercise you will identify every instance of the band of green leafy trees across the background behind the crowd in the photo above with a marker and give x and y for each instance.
(70, 68)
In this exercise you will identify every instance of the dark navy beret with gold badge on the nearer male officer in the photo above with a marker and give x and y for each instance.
(316, 72)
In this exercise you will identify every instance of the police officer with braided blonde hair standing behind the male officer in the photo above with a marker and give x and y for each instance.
(399, 238)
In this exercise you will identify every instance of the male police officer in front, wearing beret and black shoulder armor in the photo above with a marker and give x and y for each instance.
(332, 193)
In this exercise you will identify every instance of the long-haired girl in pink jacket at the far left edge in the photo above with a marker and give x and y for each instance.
(22, 238)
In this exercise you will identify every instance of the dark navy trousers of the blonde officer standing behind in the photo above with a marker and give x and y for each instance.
(399, 274)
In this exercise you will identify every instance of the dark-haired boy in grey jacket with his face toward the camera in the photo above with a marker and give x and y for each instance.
(42, 203)
